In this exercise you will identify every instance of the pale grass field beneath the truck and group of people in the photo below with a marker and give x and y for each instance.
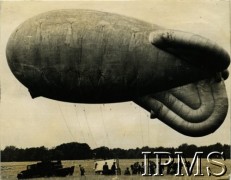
(9, 170)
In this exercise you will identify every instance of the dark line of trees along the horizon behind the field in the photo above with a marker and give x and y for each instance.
(81, 151)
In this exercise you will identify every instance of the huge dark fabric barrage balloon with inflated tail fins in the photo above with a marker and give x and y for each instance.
(86, 56)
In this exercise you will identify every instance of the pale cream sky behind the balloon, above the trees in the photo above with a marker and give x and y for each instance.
(27, 122)
